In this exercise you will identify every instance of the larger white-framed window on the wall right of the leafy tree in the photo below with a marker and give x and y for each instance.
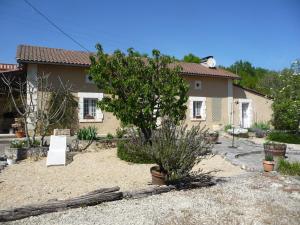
(197, 108)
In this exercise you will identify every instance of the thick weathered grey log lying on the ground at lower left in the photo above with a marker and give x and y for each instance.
(92, 198)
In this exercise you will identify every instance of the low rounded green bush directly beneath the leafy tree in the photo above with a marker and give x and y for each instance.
(131, 152)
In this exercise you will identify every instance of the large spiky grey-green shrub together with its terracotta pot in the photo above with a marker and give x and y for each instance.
(174, 149)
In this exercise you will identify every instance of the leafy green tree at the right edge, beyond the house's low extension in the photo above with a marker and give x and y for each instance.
(286, 105)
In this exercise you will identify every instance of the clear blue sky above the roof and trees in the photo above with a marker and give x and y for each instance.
(264, 32)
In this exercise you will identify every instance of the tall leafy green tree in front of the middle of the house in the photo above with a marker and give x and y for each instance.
(139, 90)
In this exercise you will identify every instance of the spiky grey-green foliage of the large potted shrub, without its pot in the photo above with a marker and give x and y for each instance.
(176, 150)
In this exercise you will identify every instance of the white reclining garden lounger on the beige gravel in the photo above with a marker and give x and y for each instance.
(57, 151)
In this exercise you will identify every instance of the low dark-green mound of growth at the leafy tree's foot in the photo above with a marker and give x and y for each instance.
(131, 156)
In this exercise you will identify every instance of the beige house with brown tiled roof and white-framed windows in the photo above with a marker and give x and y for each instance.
(213, 98)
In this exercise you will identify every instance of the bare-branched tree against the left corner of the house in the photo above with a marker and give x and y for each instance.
(37, 108)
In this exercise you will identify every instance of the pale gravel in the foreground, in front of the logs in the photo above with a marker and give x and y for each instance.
(251, 198)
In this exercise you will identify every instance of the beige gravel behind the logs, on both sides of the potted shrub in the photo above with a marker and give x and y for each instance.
(32, 182)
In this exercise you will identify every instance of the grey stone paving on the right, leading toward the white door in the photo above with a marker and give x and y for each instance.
(247, 155)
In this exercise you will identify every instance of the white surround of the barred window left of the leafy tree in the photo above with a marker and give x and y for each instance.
(99, 114)
